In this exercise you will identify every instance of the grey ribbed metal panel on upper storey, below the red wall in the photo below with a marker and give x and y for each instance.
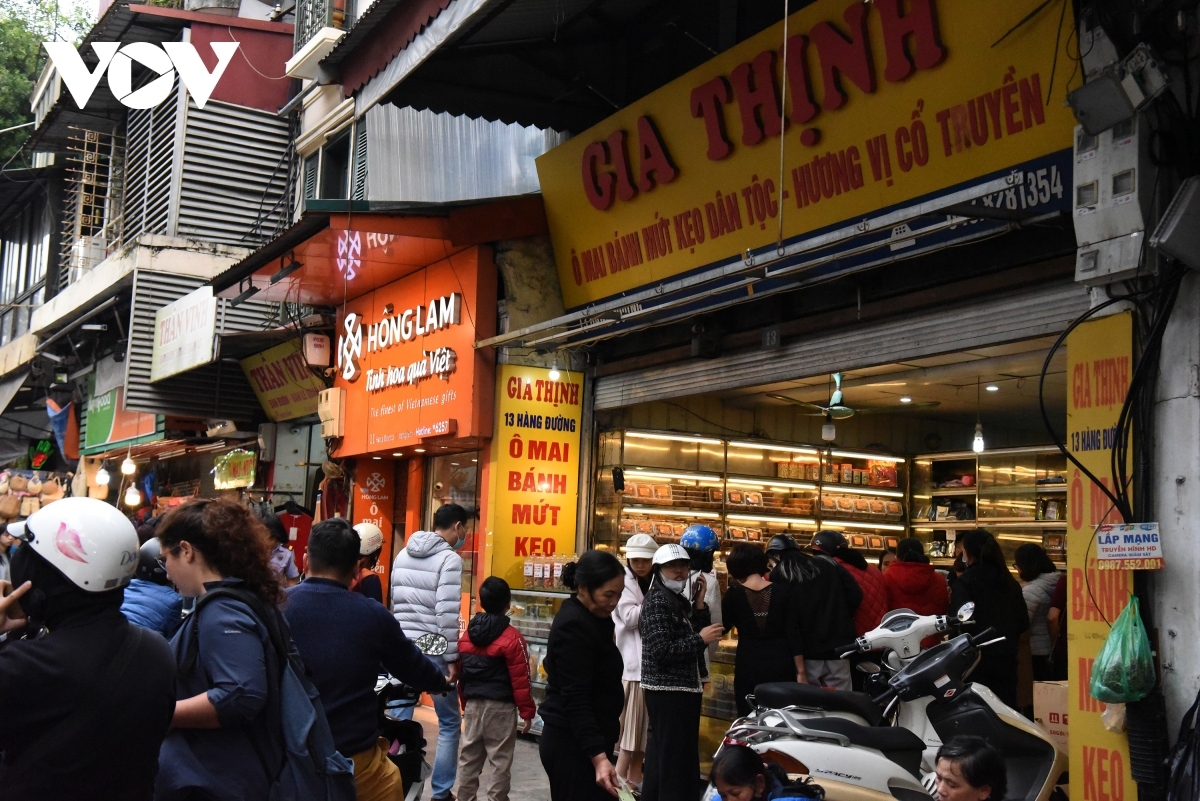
(235, 174)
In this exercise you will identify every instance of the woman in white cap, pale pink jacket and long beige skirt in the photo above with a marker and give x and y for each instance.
(634, 725)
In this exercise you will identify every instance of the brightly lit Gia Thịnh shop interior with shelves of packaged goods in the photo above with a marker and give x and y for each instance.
(899, 461)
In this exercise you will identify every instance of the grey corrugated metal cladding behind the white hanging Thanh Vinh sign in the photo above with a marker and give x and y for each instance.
(218, 390)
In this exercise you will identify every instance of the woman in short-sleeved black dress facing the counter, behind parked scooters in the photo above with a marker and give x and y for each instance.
(769, 622)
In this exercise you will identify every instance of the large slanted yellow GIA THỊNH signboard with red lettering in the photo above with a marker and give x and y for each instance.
(887, 103)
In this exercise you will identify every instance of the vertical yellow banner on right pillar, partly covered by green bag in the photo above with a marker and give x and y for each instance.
(1100, 357)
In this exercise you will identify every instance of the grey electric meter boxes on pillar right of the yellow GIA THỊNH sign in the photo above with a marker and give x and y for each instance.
(1114, 188)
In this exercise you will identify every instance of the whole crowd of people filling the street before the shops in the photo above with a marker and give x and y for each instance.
(627, 660)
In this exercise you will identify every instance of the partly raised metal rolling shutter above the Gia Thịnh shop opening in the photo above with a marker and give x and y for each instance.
(995, 321)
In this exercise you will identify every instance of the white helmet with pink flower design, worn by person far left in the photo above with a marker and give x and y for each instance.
(87, 540)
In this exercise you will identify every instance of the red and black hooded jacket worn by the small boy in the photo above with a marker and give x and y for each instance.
(495, 664)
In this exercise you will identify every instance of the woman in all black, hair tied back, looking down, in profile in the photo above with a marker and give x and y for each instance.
(585, 696)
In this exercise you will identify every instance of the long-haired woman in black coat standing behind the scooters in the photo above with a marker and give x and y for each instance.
(999, 605)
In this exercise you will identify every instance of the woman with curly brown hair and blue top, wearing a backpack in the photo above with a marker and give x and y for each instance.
(226, 739)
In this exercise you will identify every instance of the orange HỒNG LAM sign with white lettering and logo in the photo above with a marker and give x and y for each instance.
(407, 360)
